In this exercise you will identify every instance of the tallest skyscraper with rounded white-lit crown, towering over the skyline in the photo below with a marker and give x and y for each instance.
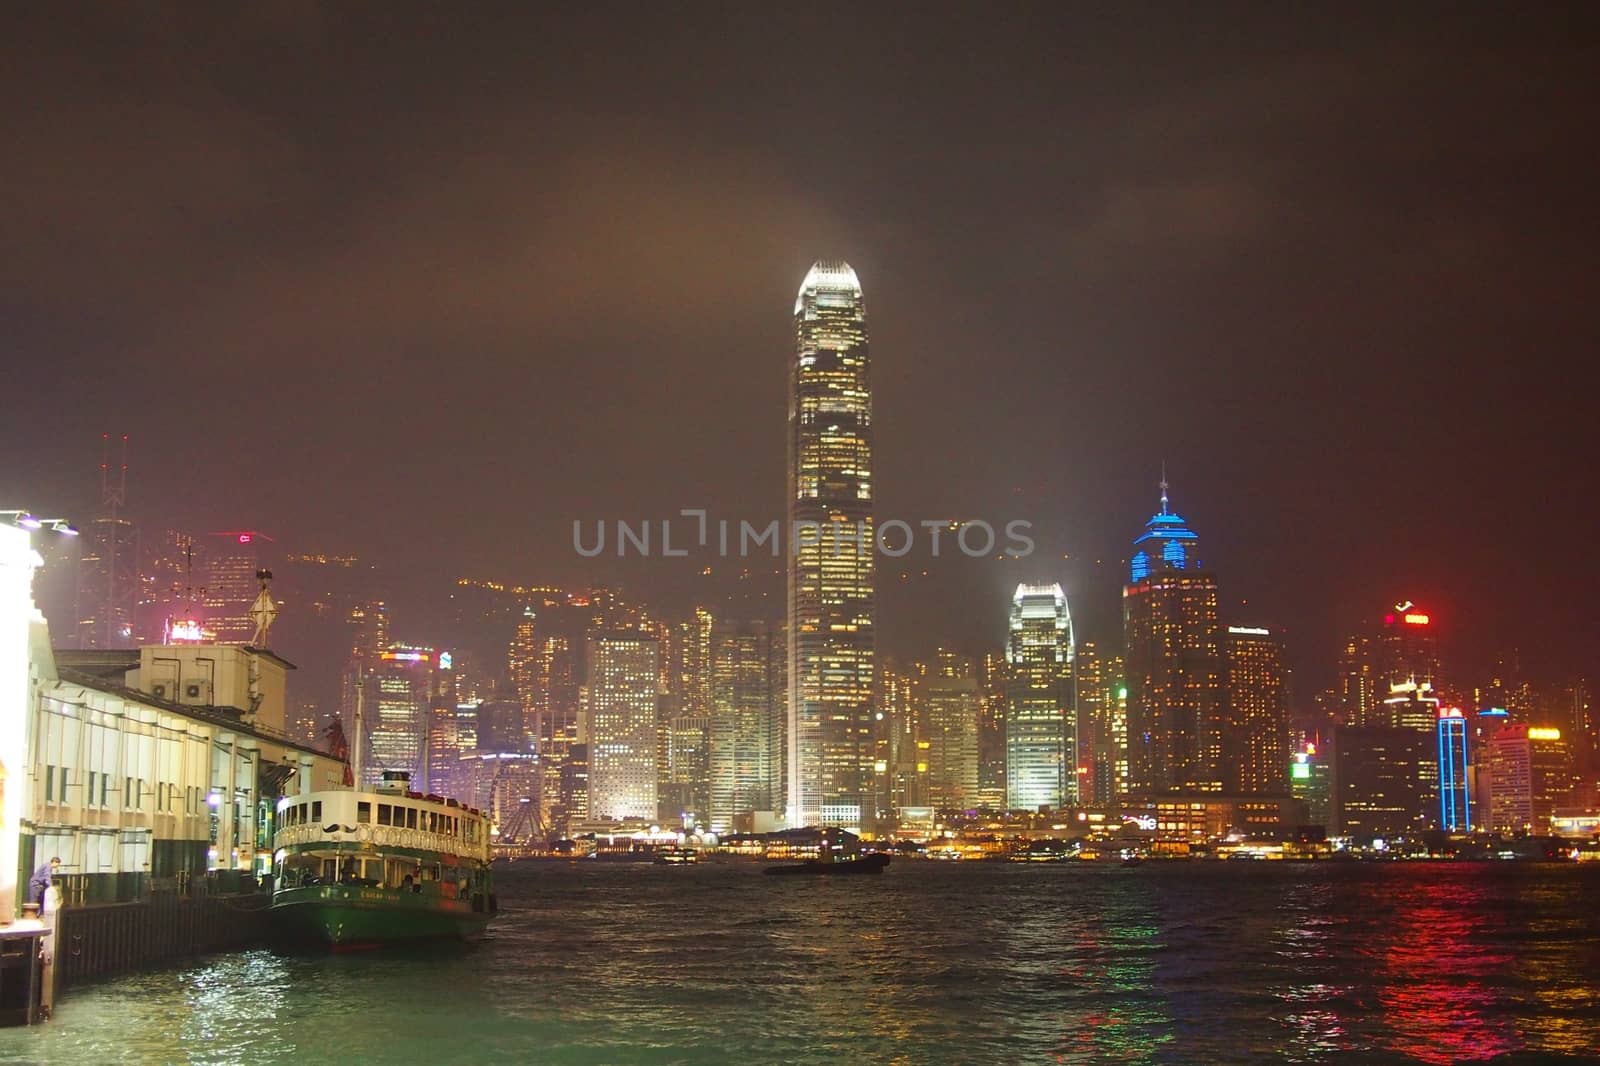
(831, 564)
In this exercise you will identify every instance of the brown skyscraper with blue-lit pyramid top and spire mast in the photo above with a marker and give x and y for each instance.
(1175, 662)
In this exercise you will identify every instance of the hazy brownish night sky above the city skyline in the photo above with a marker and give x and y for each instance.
(428, 283)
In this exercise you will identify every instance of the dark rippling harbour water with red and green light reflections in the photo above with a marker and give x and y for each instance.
(962, 963)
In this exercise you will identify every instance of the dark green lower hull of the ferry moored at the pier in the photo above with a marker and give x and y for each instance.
(351, 918)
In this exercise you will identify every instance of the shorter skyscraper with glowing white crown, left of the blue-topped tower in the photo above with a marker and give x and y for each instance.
(1041, 724)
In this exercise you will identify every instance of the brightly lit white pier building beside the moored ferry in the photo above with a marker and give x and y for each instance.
(143, 769)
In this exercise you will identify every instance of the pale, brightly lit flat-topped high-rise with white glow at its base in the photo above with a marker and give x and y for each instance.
(620, 707)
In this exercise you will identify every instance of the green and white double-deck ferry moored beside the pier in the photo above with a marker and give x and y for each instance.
(369, 868)
